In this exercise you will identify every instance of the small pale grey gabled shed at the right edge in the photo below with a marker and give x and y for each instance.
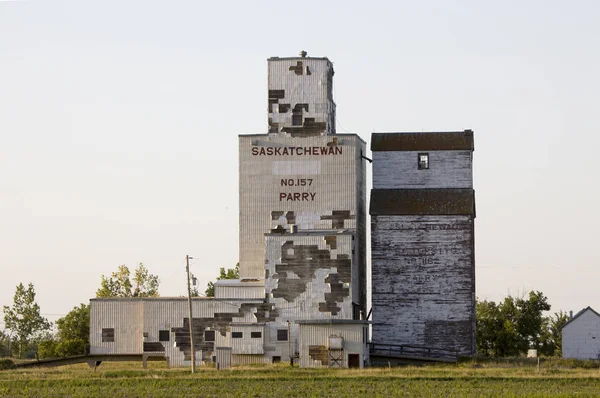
(581, 336)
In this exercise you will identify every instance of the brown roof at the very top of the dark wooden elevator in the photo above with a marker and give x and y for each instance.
(432, 141)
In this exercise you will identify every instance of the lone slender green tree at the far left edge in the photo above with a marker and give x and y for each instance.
(24, 317)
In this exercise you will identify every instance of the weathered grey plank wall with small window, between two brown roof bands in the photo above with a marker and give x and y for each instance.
(398, 170)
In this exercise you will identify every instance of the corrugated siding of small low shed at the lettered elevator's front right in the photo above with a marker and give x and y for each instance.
(318, 335)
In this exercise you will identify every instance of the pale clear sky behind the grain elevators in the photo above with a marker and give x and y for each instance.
(119, 124)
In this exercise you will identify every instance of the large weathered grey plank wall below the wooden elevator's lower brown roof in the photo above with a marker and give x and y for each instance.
(423, 281)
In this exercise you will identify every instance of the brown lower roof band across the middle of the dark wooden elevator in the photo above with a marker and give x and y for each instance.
(422, 202)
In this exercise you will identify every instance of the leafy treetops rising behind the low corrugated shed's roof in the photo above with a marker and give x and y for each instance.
(143, 284)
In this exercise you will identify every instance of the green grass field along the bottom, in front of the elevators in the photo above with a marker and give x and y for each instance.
(113, 380)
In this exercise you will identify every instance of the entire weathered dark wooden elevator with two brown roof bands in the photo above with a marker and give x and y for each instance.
(422, 233)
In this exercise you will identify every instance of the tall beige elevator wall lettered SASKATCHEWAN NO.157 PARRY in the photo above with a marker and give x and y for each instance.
(273, 201)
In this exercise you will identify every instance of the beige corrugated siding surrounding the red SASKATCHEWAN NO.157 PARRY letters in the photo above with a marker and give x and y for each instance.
(335, 189)
